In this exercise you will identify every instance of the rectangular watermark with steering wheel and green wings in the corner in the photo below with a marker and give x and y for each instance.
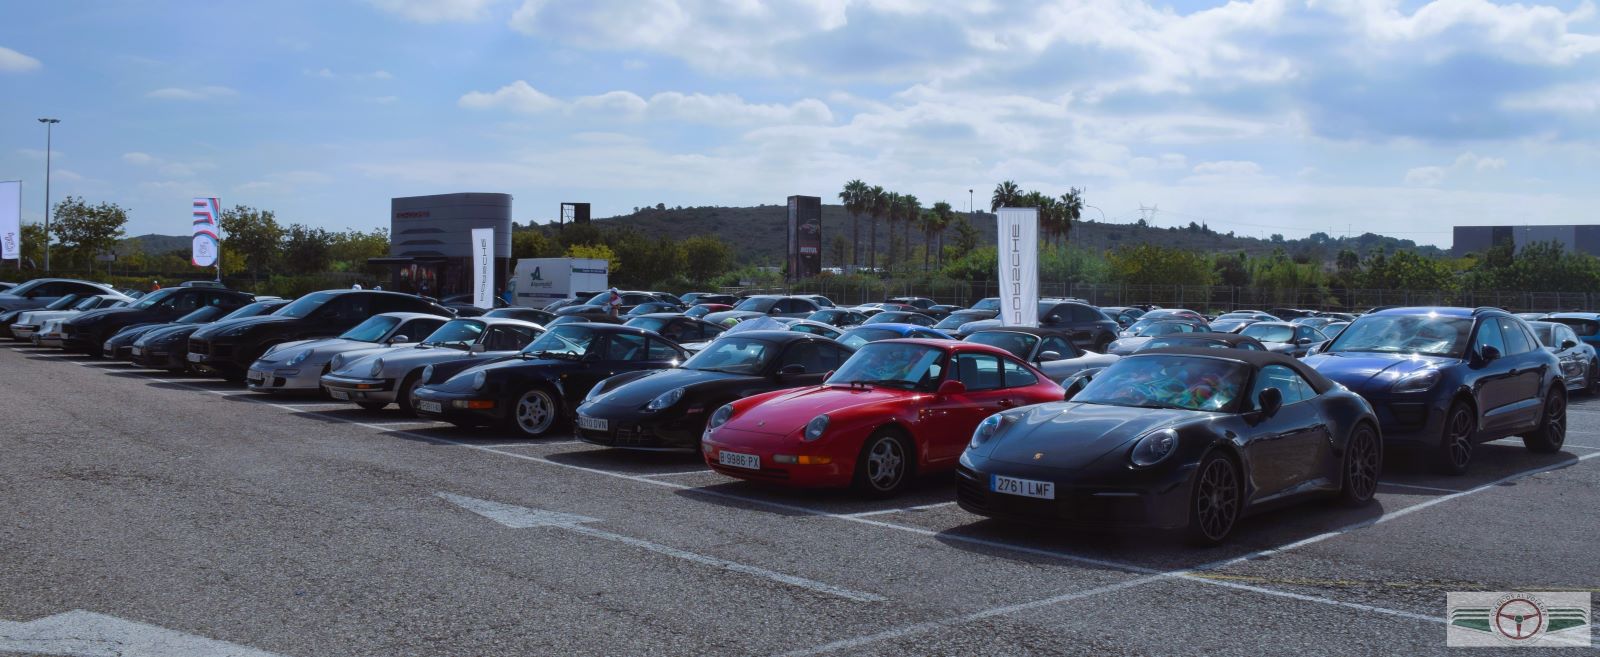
(1503, 619)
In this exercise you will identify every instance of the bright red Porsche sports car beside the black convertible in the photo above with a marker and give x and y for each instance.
(897, 408)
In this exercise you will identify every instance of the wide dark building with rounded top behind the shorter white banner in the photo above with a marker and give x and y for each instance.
(431, 241)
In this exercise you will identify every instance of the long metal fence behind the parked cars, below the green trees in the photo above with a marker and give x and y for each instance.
(854, 292)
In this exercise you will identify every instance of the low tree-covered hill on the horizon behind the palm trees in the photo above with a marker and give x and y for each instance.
(759, 234)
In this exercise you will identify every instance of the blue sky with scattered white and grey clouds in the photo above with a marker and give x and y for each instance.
(1262, 117)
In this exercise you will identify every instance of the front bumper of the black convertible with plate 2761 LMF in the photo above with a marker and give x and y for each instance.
(1162, 504)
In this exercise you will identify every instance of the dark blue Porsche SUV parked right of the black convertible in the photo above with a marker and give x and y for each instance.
(1446, 380)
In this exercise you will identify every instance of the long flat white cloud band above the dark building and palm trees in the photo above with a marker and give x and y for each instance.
(718, 109)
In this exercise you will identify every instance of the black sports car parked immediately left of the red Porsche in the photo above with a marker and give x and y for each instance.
(668, 408)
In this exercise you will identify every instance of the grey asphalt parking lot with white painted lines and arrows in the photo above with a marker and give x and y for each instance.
(185, 508)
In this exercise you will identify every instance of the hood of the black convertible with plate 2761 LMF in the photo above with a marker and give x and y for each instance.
(1074, 436)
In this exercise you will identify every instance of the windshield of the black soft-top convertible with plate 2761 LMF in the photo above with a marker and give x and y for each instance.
(1169, 381)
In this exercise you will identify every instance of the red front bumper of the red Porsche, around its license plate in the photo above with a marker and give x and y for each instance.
(836, 474)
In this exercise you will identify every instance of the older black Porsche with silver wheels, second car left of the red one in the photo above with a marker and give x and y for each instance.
(537, 391)
